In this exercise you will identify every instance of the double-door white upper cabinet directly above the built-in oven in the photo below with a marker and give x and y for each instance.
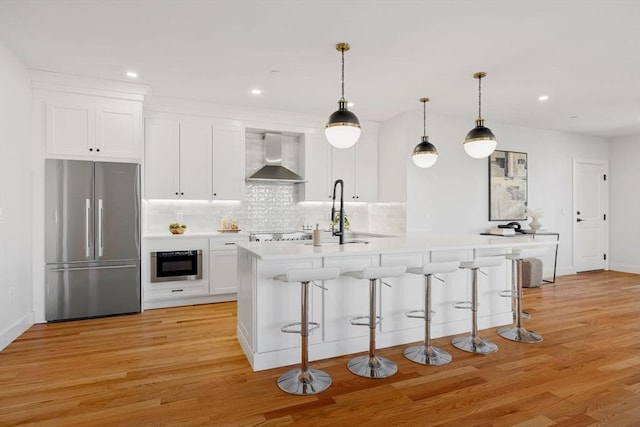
(177, 160)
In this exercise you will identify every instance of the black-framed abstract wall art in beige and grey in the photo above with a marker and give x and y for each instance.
(507, 186)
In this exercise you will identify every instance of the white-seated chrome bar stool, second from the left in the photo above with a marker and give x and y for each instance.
(372, 366)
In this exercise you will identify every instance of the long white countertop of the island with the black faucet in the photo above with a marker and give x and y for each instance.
(413, 242)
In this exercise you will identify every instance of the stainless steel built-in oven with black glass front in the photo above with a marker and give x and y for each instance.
(171, 266)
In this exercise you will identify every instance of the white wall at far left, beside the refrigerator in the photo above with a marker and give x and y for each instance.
(16, 299)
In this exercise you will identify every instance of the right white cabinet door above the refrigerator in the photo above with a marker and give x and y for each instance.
(118, 129)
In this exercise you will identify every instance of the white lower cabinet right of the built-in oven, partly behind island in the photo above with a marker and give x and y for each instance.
(223, 271)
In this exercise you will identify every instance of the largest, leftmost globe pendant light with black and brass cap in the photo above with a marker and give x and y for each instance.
(343, 127)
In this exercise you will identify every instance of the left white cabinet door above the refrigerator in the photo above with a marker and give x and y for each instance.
(70, 126)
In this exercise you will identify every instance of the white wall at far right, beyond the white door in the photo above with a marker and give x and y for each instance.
(624, 203)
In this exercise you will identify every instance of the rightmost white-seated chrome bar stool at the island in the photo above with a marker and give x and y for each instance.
(518, 332)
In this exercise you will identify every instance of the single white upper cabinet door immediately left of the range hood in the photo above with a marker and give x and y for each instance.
(228, 164)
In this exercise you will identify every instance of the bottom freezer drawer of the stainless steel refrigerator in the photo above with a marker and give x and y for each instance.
(82, 291)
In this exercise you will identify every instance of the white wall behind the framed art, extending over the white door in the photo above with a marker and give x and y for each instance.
(452, 196)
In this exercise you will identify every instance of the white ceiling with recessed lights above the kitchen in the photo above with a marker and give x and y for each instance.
(584, 55)
